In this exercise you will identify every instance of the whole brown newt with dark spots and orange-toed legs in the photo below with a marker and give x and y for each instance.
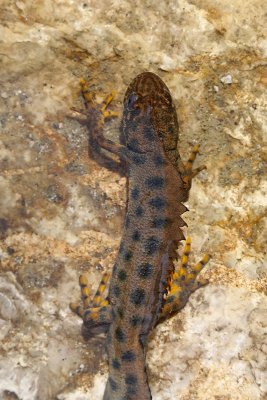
(144, 288)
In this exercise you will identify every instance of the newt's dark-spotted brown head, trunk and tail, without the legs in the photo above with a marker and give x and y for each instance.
(150, 235)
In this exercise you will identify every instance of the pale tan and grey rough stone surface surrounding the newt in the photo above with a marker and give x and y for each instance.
(61, 213)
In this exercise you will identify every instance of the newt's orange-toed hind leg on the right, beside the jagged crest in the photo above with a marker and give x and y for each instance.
(183, 283)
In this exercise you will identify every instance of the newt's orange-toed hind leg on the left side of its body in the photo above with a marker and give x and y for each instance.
(95, 312)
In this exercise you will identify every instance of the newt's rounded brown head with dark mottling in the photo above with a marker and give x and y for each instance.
(149, 116)
